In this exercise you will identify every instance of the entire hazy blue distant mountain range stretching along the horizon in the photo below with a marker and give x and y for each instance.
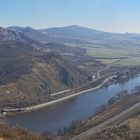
(78, 34)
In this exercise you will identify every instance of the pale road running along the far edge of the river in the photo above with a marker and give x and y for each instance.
(58, 100)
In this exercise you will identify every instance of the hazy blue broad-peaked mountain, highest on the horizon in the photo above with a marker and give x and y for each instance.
(76, 32)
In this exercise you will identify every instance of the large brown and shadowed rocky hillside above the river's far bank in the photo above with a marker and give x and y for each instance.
(27, 76)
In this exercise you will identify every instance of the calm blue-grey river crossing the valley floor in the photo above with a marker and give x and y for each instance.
(58, 115)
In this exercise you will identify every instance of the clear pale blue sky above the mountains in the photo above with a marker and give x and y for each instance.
(105, 15)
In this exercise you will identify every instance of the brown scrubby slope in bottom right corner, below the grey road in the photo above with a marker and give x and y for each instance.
(129, 130)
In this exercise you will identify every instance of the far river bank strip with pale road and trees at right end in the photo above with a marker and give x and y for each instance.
(97, 84)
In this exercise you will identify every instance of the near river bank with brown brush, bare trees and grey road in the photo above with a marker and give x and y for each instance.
(112, 114)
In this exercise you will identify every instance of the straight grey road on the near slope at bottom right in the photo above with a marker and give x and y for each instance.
(106, 123)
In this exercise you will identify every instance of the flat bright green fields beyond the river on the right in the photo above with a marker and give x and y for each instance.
(108, 56)
